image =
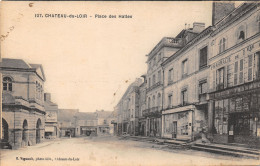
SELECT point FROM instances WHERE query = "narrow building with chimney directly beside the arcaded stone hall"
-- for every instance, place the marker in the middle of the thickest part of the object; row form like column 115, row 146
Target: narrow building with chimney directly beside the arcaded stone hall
column 51, row 121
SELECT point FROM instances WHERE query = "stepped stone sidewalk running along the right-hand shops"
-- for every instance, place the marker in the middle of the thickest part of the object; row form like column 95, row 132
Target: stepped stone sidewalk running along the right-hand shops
column 224, row 149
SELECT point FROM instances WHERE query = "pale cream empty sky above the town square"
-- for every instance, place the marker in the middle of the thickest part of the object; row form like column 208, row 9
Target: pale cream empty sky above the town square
column 90, row 62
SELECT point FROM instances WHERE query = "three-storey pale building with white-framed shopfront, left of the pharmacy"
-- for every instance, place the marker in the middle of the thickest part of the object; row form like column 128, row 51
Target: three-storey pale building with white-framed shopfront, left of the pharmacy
column 185, row 87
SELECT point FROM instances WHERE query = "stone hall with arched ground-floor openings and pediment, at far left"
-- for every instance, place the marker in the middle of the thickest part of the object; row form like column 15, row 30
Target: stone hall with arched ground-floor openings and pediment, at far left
column 23, row 103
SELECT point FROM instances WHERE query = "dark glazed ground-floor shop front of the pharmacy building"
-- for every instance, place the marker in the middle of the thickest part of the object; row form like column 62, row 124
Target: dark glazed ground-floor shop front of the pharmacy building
column 236, row 114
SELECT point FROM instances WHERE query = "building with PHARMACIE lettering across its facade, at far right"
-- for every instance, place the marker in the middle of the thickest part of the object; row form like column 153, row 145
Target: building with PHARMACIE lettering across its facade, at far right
column 234, row 100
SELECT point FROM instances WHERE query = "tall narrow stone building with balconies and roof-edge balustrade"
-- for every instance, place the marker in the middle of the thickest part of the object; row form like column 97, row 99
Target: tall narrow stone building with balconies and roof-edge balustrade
column 154, row 90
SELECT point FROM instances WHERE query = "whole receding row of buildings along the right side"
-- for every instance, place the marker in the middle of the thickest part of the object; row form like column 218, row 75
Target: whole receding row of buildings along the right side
column 204, row 79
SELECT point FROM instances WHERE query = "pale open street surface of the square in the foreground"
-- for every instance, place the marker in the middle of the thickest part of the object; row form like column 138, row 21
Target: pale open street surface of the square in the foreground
column 112, row 151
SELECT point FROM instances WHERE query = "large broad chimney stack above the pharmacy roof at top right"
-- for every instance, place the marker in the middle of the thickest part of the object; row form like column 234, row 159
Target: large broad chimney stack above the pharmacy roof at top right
column 220, row 10
